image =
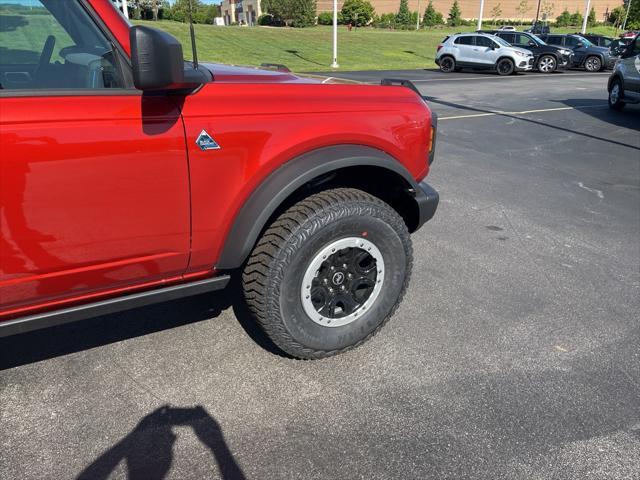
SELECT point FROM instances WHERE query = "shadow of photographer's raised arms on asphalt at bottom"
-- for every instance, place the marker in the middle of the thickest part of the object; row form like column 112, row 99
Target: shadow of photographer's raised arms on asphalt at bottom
column 148, row 449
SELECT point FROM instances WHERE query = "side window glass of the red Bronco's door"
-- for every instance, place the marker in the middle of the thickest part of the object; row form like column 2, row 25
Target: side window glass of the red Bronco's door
column 52, row 47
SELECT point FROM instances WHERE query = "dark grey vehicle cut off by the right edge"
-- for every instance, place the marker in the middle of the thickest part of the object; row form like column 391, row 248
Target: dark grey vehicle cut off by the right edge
column 624, row 82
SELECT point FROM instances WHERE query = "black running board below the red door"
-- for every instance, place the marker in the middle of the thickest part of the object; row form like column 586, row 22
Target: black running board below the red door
column 112, row 305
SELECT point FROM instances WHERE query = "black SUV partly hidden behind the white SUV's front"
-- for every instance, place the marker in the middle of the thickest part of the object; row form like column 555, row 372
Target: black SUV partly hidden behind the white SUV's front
column 546, row 58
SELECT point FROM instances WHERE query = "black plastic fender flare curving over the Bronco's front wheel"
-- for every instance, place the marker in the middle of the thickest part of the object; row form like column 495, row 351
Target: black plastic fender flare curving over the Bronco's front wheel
column 284, row 181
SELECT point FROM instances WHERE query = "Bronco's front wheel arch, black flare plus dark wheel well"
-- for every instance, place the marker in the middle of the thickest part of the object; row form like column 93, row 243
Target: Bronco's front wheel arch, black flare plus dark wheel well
column 343, row 165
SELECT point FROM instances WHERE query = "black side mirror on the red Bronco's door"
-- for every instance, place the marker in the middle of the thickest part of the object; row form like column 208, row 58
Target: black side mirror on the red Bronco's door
column 157, row 61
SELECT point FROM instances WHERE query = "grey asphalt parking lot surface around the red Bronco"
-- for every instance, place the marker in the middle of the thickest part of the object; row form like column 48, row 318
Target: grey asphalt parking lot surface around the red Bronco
column 515, row 355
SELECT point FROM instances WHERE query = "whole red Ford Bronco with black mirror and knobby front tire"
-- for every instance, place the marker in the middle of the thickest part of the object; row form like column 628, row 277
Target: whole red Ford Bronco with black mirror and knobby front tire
column 129, row 176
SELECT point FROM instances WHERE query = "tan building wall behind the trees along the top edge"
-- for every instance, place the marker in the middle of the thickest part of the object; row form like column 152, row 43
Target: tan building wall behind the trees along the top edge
column 470, row 8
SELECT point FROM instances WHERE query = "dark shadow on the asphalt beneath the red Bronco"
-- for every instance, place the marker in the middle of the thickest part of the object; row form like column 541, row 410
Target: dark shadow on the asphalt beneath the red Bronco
column 52, row 342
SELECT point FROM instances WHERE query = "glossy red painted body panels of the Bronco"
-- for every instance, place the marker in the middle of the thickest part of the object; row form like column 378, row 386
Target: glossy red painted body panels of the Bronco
column 101, row 195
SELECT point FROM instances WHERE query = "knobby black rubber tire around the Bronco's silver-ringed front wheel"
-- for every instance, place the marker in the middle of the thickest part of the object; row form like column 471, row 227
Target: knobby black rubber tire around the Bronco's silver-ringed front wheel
column 273, row 276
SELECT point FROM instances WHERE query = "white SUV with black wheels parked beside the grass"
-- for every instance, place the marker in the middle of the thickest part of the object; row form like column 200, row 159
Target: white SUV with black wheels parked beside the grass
column 482, row 51
